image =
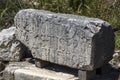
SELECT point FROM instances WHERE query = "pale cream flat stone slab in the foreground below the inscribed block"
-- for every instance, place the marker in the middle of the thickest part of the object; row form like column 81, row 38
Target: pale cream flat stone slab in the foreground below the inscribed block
column 27, row 71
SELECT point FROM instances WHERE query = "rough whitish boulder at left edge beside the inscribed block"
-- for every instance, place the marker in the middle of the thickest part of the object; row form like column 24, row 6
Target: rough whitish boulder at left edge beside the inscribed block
column 10, row 48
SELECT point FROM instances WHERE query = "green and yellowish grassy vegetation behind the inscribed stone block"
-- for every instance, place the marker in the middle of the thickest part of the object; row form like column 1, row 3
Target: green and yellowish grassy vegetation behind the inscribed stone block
column 103, row 9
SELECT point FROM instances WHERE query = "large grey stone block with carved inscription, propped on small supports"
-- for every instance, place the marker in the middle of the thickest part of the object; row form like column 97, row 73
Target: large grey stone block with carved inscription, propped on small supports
column 75, row 41
